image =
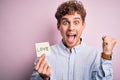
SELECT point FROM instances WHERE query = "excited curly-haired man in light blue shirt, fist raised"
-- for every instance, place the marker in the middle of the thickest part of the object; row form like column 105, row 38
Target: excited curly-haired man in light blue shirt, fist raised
column 72, row 59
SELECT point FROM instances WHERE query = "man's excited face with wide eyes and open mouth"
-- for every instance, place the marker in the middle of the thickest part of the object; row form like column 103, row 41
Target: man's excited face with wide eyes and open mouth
column 71, row 27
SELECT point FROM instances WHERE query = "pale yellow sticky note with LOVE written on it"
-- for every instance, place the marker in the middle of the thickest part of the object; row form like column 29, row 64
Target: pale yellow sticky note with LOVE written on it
column 42, row 48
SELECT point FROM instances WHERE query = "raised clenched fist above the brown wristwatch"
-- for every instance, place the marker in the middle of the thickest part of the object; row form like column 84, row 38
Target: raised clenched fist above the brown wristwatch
column 108, row 44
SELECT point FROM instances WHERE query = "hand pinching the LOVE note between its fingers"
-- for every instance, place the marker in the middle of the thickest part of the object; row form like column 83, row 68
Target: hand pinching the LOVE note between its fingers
column 43, row 68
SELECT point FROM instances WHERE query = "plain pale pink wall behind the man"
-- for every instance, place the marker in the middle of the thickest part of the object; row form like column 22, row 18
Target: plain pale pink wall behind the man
column 25, row 22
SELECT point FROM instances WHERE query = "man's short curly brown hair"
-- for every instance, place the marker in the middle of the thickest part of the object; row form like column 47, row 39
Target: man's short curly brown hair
column 70, row 7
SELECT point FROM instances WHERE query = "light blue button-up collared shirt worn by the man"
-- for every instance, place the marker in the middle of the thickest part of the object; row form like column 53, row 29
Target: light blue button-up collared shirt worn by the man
column 82, row 63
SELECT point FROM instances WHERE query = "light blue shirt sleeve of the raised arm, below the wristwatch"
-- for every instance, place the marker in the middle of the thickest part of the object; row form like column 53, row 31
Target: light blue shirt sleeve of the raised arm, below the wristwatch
column 102, row 69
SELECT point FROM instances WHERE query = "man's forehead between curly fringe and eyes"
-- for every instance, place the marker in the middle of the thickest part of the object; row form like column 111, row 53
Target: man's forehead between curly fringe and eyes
column 71, row 17
